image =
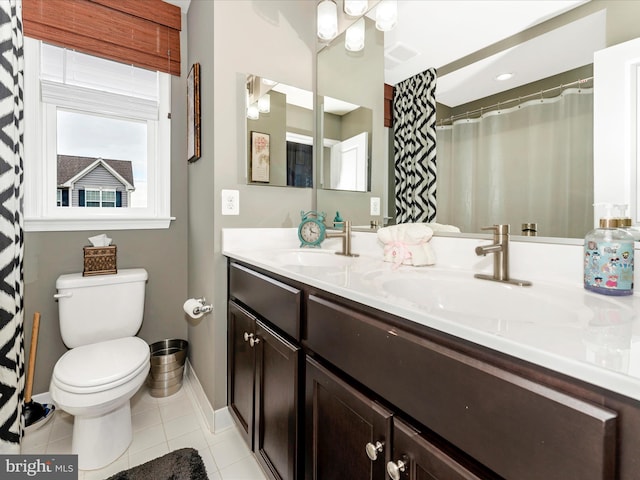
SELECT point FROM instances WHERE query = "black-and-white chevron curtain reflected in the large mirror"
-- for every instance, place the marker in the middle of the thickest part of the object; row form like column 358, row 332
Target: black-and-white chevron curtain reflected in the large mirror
column 414, row 121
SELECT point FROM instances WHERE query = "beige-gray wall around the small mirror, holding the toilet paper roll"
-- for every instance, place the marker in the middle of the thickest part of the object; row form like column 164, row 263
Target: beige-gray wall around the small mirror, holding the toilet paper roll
column 274, row 39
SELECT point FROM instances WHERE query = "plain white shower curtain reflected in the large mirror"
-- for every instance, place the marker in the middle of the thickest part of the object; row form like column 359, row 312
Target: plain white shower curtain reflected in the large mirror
column 526, row 164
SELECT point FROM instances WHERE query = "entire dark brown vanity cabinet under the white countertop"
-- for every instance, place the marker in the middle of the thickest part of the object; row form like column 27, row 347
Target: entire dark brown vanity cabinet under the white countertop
column 384, row 398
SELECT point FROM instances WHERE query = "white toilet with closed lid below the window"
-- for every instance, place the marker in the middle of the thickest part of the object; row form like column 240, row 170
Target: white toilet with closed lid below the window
column 106, row 364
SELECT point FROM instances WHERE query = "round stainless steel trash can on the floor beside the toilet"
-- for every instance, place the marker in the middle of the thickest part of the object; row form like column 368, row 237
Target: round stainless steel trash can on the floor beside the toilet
column 167, row 367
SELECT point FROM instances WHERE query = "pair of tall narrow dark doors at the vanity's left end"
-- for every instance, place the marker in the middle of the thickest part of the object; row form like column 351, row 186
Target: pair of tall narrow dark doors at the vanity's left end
column 263, row 390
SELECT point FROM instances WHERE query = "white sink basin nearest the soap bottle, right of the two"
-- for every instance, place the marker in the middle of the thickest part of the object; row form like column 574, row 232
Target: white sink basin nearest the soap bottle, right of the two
column 460, row 296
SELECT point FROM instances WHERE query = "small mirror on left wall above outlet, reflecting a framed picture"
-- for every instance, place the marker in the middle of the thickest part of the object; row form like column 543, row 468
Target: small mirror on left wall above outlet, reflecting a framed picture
column 279, row 126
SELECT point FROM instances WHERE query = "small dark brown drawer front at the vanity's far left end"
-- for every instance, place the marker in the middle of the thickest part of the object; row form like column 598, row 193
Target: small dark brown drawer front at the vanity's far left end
column 272, row 300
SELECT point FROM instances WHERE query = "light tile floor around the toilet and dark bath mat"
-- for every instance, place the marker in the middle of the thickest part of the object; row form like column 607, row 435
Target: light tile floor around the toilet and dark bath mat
column 160, row 425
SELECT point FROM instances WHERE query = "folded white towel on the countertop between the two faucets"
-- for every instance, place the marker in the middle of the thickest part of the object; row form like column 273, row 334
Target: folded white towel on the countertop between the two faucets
column 407, row 244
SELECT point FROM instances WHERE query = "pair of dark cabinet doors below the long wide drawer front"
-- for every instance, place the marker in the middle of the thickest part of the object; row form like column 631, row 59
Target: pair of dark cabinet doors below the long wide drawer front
column 350, row 435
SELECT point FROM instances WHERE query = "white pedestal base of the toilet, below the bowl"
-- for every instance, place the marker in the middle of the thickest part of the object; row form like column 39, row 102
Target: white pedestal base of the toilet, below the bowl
column 100, row 440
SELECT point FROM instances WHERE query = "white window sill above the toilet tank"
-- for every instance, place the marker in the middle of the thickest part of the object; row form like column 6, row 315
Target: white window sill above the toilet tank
column 78, row 224
